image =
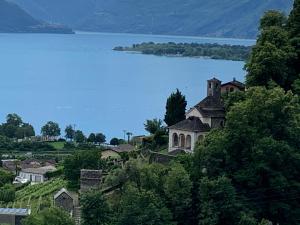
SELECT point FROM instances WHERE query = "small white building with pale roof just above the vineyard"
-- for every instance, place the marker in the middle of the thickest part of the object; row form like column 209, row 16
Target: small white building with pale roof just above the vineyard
column 36, row 175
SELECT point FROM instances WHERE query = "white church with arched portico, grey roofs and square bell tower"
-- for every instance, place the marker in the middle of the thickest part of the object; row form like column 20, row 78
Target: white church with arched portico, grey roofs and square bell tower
column 200, row 119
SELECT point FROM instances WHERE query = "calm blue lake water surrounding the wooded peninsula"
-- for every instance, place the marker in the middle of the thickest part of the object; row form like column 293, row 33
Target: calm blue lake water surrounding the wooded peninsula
column 78, row 79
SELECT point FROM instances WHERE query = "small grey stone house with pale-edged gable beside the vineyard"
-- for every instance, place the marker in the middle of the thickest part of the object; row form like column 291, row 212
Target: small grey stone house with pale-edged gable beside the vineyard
column 63, row 199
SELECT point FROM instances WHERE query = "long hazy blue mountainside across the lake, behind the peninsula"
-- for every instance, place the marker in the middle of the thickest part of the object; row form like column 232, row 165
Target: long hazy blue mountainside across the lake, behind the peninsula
column 220, row 18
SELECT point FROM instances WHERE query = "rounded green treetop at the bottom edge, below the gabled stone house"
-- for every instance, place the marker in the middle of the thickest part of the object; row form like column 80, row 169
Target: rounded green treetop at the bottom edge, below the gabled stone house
column 50, row 216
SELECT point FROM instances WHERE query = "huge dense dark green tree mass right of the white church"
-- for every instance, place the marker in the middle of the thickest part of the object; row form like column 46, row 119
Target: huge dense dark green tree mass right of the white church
column 253, row 150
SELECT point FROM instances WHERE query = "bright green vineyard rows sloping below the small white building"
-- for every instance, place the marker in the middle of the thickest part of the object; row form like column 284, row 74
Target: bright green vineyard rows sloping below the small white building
column 34, row 195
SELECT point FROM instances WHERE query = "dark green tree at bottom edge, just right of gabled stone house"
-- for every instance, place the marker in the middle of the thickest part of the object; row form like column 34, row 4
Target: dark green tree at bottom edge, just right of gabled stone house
column 95, row 209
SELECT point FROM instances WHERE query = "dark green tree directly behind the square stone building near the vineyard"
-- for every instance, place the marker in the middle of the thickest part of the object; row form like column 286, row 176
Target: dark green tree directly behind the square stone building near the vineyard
column 81, row 160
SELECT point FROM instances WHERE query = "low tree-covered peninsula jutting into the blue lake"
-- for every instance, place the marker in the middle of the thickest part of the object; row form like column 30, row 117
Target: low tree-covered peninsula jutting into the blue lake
column 213, row 51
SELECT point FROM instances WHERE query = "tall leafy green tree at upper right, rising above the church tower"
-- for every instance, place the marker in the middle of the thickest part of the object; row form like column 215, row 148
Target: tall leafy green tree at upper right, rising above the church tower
column 271, row 56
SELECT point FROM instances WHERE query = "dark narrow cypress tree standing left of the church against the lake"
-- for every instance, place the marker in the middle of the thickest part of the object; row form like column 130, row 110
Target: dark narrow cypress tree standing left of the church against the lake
column 175, row 108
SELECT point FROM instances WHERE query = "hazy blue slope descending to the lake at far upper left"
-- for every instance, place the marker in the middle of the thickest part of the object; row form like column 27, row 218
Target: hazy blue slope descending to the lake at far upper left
column 14, row 19
